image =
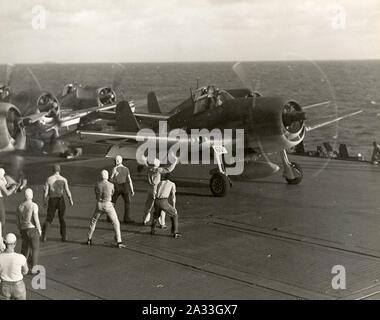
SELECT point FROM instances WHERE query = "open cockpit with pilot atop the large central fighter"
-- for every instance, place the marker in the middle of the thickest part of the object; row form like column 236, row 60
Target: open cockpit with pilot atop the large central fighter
column 209, row 97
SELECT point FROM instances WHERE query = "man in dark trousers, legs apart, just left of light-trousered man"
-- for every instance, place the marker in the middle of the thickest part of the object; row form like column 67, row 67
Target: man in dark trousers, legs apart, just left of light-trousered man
column 55, row 188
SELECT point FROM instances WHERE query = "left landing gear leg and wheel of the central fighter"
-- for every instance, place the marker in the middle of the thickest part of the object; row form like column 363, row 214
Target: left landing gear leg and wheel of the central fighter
column 220, row 183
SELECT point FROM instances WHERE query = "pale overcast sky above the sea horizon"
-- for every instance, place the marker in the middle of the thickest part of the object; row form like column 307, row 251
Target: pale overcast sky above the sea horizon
column 189, row 30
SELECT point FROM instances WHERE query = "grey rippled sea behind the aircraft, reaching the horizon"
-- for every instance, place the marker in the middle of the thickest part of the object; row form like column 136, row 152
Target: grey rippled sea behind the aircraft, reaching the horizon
column 350, row 85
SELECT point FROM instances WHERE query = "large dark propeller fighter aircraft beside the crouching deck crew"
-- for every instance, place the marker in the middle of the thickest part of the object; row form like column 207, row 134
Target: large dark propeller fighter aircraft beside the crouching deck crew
column 270, row 124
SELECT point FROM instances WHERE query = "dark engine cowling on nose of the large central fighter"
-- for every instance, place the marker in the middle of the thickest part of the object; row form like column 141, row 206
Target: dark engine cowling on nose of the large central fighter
column 275, row 123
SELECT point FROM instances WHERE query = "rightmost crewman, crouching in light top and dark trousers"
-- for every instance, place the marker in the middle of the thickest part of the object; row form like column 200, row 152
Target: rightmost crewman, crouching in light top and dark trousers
column 165, row 194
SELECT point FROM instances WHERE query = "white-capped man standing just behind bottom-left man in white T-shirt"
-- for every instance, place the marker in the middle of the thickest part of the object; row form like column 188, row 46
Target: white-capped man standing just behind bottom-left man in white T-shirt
column 30, row 228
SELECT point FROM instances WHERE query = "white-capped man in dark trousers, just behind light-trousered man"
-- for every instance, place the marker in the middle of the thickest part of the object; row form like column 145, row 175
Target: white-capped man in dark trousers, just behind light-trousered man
column 123, row 187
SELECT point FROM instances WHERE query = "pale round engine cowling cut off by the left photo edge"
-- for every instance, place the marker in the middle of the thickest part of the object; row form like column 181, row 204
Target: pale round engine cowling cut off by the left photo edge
column 12, row 135
